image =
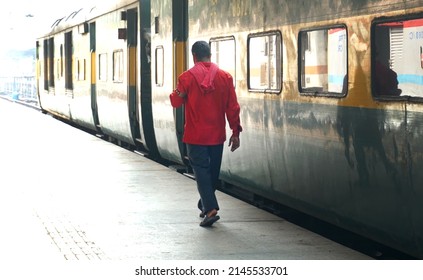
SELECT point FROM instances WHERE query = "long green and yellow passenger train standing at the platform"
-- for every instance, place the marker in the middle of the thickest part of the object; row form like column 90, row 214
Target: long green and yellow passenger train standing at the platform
column 331, row 96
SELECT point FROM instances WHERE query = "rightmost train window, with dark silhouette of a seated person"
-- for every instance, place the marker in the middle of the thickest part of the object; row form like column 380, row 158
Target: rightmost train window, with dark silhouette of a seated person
column 397, row 60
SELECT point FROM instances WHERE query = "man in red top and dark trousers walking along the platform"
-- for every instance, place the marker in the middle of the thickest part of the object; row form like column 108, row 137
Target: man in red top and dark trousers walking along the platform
column 209, row 96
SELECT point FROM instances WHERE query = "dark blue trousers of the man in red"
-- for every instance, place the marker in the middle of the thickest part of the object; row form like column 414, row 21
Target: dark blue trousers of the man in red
column 206, row 161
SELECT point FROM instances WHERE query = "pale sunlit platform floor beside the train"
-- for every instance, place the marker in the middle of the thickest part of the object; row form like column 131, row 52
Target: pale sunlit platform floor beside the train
column 65, row 194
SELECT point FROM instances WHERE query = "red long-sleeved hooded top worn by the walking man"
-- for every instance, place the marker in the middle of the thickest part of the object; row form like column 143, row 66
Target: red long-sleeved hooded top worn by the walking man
column 210, row 96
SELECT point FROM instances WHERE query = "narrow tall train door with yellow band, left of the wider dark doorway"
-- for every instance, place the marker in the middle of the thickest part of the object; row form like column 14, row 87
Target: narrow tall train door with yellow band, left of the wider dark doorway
column 93, row 77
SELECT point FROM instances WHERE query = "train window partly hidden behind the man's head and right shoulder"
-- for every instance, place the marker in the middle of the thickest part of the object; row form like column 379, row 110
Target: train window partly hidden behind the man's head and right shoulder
column 223, row 54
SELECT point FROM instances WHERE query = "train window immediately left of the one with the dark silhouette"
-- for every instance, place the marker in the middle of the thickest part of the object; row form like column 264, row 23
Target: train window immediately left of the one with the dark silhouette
column 323, row 61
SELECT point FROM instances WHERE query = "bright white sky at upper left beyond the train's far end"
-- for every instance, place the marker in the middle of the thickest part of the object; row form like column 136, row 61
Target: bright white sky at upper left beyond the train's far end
column 21, row 22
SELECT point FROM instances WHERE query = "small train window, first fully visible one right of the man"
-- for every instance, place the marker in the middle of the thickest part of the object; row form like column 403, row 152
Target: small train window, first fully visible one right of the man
column 265, row 62
